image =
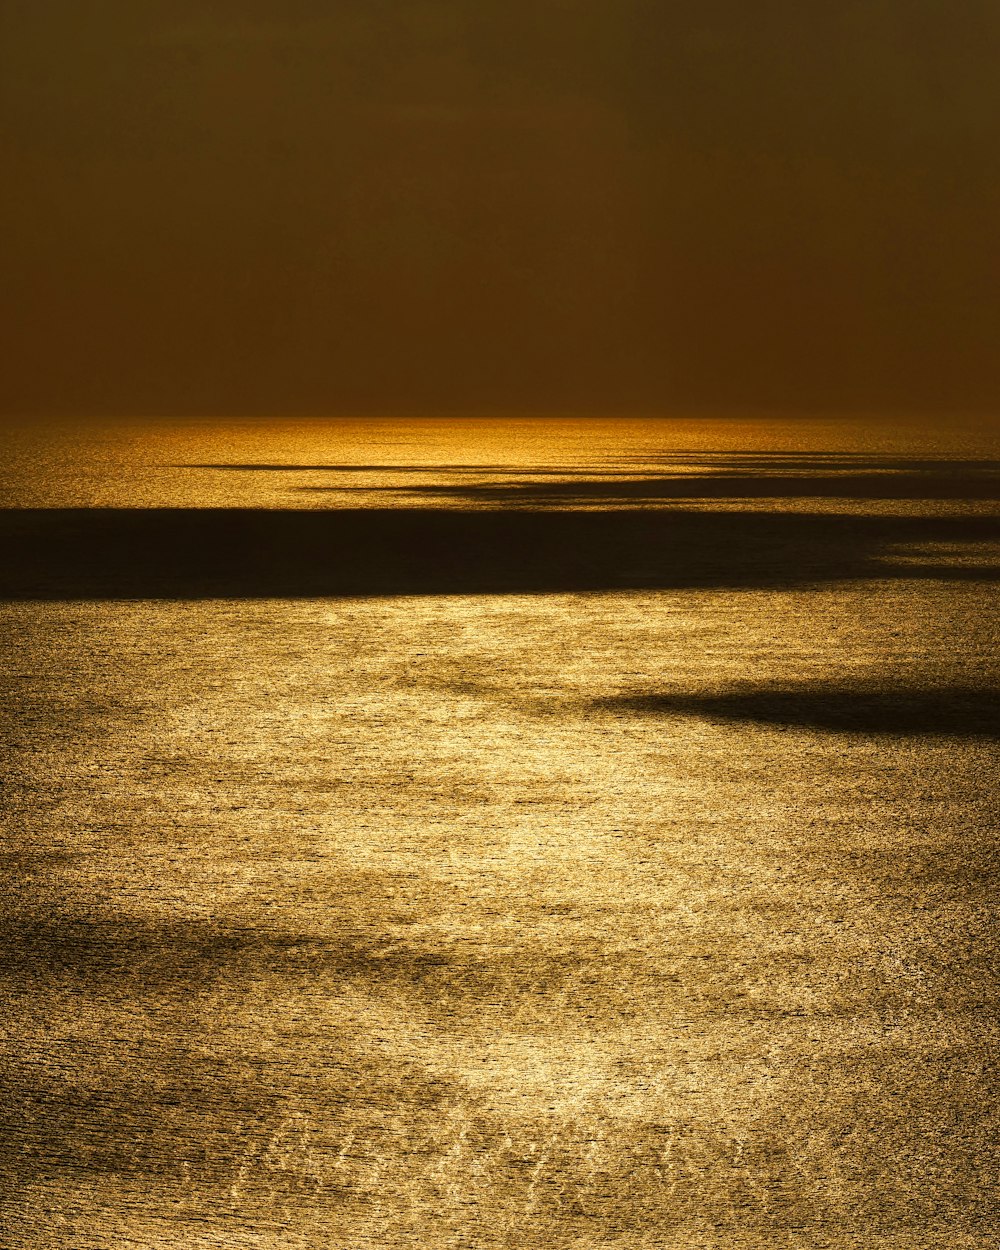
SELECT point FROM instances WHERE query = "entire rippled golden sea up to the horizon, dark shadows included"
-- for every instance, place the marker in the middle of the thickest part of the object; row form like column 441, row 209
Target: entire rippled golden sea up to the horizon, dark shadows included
column 501, row 834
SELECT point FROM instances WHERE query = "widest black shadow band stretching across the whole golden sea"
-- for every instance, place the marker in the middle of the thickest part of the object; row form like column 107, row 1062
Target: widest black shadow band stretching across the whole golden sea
column 53, row 554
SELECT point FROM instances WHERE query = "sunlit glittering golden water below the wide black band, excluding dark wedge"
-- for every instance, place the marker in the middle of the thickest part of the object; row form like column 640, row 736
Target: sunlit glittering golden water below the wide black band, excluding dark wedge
column 388, row 916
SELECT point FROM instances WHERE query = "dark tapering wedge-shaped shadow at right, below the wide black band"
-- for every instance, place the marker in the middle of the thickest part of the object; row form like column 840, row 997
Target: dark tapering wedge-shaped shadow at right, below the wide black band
column 953, row 712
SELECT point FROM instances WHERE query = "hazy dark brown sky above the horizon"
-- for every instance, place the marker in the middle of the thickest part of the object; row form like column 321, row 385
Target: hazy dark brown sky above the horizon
column 501, row 206
